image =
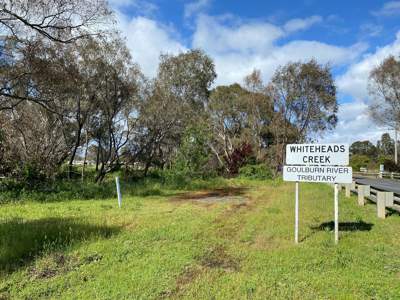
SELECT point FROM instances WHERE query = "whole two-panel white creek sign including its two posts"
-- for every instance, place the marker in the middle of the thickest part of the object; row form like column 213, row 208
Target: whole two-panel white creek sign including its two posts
column 318, row 163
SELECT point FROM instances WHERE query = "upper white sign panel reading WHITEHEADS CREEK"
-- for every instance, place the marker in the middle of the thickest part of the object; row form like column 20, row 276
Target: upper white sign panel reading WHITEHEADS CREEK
column 317, row 154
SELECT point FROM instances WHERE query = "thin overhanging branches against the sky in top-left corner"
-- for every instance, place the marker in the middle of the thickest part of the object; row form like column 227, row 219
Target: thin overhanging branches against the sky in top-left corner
column 56, row 20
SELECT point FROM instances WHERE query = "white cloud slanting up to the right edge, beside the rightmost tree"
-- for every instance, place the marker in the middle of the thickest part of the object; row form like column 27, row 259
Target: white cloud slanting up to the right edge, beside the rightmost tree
column 355, row 81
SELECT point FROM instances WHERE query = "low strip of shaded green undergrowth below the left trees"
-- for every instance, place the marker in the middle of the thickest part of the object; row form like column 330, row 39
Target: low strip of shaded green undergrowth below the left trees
column 158, row 182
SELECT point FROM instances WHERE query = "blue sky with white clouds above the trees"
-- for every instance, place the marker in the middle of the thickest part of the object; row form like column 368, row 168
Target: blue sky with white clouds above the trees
column 352, row 36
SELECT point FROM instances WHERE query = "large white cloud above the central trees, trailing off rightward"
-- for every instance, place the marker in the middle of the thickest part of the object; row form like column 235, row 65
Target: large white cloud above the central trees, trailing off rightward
column 237, row 48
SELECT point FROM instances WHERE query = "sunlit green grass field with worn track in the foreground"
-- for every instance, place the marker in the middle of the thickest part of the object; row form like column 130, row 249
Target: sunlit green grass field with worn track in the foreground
column 178, row 244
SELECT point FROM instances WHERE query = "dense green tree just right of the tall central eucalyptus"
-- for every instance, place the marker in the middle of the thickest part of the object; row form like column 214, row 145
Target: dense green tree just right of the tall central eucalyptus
column 239, row 120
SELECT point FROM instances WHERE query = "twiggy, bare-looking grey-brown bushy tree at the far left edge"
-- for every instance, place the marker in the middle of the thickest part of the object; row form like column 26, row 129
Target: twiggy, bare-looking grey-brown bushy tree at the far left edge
column 38, row 149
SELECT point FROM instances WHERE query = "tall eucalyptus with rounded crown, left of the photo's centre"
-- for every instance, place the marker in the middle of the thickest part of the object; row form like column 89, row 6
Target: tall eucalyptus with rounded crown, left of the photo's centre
column 175, row 99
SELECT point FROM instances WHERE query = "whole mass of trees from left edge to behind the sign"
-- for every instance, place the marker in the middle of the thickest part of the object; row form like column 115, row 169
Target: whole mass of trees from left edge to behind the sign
column 70, row 95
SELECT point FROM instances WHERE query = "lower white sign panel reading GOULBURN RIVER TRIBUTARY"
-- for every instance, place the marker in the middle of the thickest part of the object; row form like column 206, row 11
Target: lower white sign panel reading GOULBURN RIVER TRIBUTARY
column 328, row 174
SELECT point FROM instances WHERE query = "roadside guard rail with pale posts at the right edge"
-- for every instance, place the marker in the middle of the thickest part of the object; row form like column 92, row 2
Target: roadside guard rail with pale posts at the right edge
column 385, row 200
